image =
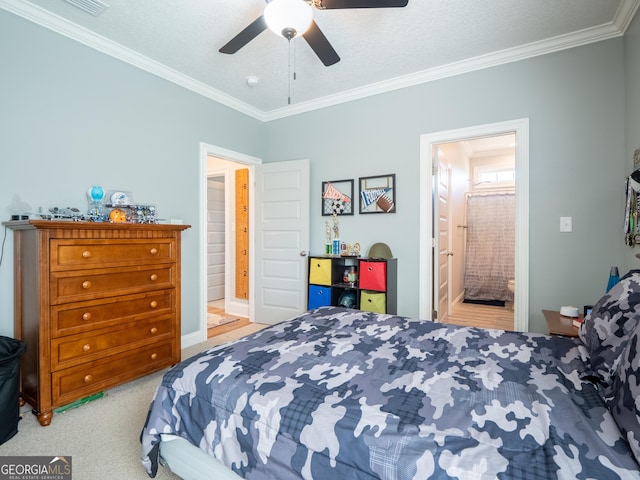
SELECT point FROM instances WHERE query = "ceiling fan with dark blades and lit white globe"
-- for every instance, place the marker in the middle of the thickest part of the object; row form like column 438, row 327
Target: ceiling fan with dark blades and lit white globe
column 279, row 15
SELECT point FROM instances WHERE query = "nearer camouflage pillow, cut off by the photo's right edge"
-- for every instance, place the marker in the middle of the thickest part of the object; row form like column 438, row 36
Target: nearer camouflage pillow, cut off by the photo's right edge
column 625, row 404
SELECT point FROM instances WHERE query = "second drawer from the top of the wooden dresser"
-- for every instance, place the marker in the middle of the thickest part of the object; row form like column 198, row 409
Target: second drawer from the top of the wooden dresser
column 73, row 286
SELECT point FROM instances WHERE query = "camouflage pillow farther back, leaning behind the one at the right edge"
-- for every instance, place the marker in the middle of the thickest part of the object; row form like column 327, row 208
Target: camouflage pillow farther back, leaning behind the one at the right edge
column 607, row 329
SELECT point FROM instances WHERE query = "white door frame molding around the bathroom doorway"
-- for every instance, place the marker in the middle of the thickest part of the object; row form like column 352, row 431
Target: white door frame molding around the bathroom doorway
column 521, row 129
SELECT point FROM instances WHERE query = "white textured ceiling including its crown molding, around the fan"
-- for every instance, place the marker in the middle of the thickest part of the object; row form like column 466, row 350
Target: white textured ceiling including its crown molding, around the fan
column 380, row 49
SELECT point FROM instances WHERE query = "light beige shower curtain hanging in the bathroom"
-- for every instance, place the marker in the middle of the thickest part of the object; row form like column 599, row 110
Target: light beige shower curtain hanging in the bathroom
column 490, row 249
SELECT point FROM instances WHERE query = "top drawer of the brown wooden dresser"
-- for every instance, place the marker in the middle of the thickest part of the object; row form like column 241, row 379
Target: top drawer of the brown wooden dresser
column 69, row 254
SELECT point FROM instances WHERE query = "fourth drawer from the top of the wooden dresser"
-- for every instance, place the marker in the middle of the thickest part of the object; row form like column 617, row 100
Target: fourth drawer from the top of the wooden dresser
column 75, row 349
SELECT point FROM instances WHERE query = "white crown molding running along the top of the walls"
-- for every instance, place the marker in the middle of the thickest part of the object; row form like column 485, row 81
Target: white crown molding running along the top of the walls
column 53, row 22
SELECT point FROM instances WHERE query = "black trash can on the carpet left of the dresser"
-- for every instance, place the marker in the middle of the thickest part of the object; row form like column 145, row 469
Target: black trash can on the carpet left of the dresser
column 10, row 352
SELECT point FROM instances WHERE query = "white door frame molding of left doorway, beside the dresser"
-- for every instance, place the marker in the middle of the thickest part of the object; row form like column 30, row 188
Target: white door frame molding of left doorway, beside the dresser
column 205, row 151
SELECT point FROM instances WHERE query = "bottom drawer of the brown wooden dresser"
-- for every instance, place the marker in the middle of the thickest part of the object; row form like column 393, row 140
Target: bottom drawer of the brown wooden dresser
column 77, row 382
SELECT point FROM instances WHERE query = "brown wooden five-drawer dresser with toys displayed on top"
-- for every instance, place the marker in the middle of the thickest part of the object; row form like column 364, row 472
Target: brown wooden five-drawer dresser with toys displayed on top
column 98, row 304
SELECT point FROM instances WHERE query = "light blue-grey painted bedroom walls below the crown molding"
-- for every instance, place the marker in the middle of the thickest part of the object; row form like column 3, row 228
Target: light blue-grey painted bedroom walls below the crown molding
column 71, row 117
